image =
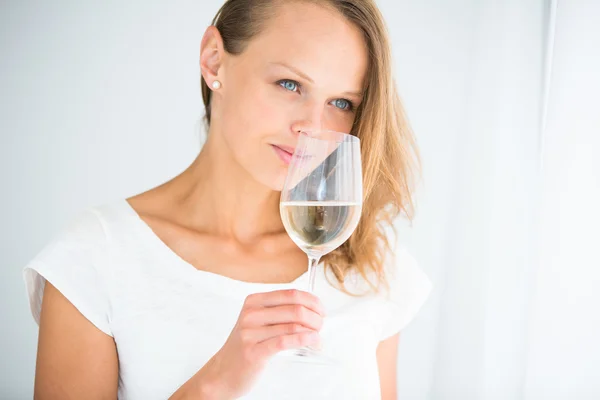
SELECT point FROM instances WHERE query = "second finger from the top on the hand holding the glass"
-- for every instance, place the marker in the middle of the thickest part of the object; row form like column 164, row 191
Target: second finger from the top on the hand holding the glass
column 287, row 314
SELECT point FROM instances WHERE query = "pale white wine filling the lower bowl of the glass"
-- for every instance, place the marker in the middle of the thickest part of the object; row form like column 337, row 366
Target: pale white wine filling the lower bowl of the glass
column 318, row 227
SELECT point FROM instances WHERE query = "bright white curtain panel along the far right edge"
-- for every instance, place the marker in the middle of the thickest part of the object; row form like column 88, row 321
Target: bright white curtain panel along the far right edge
column 563, row 352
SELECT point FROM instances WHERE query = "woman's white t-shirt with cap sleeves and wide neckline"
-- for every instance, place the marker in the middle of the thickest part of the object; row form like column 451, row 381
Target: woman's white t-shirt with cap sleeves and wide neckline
column 169, row 318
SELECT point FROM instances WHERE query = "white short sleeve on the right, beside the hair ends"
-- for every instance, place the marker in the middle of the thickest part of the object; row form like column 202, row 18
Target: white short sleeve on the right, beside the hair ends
column 409, row 288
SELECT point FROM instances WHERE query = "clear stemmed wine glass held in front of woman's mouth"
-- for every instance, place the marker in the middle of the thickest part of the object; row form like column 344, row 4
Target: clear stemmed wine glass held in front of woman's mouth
column 321, row 200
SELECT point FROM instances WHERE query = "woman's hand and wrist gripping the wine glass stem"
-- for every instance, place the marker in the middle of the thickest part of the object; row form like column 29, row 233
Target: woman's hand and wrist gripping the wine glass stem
column 268, row 323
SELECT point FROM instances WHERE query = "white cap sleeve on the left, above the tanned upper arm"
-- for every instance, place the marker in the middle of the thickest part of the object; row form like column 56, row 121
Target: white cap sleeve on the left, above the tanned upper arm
column 71, row 262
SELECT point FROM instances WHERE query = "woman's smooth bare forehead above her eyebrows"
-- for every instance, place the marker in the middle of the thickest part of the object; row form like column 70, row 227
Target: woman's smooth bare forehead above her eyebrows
column 315, row 39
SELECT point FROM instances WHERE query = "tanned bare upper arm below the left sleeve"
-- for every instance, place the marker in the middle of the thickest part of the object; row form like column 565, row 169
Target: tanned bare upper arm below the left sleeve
column 75, row 359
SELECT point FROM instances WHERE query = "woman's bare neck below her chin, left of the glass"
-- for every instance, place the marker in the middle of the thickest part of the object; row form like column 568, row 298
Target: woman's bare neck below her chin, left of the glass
column 219, row 197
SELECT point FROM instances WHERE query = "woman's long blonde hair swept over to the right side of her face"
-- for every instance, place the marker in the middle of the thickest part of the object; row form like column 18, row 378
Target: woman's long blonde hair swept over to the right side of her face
column 389, row 153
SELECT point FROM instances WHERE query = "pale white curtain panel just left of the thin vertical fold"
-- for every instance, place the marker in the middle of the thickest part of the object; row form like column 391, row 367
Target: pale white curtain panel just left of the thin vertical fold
column 481, row 333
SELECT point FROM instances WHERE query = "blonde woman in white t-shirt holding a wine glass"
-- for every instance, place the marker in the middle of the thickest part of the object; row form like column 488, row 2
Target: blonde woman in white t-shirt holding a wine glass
column 190, row 290
